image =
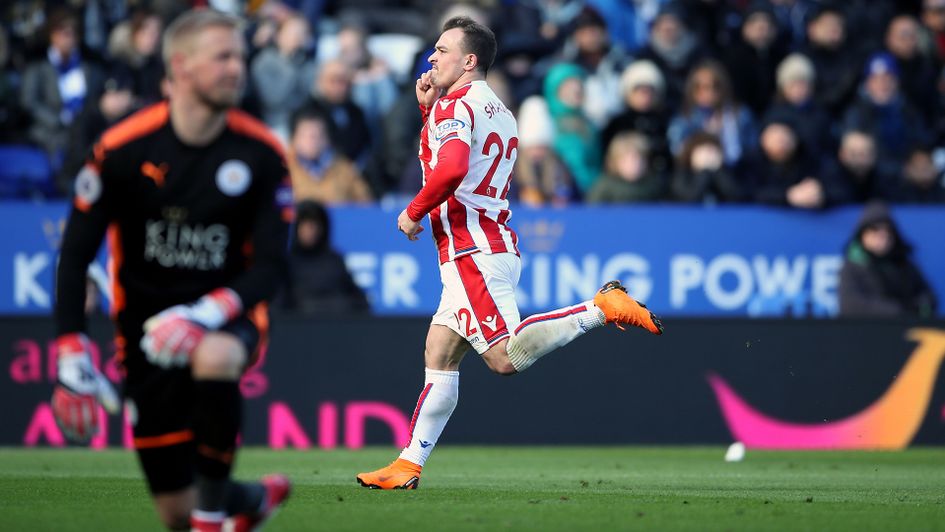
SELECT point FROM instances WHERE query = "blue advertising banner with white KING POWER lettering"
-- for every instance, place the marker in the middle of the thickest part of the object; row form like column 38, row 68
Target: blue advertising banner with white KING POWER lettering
column 683, row 261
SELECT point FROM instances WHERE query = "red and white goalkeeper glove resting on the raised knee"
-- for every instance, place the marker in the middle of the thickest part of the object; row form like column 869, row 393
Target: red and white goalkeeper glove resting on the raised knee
column 171, row 336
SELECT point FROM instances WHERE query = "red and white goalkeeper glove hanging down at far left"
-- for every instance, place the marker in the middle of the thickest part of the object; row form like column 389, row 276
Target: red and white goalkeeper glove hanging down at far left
column 80, row 388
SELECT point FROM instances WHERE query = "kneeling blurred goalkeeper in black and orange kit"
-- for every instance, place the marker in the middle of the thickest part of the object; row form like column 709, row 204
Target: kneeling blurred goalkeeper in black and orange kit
column 191, row 194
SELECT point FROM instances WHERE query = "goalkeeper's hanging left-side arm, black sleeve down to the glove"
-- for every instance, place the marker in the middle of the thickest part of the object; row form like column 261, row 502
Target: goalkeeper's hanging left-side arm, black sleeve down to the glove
column 80, row 387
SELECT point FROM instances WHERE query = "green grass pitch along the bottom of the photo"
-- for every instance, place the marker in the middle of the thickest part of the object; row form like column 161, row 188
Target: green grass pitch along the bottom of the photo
column 514, row 488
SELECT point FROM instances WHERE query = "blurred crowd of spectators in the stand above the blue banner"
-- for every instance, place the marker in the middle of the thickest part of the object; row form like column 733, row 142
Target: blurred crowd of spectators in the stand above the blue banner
column 799, row 103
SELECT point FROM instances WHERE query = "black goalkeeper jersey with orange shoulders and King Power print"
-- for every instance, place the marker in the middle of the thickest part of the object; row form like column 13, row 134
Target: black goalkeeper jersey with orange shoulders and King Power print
column 181, row 220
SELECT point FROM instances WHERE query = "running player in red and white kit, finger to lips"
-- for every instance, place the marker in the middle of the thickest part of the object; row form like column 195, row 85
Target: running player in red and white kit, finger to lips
column 468, row 146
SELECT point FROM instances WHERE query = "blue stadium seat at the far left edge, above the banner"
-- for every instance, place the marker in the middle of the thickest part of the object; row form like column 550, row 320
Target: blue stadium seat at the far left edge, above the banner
column 25, row 172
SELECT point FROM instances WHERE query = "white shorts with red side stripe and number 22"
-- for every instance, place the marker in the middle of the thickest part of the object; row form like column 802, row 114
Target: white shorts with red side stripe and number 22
column 478, row 299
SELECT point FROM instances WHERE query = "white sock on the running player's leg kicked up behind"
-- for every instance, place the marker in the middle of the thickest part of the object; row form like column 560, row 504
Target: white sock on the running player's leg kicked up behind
column 541, row 334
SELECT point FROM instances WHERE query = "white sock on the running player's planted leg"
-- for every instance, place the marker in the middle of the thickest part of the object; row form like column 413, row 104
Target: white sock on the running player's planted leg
column 437, row 401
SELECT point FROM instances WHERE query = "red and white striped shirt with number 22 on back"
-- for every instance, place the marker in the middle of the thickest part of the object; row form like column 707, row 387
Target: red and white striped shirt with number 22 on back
column 468, row 147
